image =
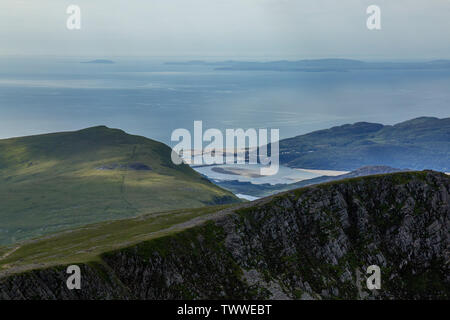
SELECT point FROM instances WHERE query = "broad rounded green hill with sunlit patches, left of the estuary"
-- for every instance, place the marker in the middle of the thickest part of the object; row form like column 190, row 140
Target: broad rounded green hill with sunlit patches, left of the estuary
column 63, row 180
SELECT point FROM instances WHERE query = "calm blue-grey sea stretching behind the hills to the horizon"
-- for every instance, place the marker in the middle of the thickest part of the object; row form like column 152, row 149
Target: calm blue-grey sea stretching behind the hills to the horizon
column 150, row 98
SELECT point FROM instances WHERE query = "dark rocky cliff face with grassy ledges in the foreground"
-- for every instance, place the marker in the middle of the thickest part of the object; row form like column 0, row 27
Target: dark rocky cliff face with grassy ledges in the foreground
column 311, row 243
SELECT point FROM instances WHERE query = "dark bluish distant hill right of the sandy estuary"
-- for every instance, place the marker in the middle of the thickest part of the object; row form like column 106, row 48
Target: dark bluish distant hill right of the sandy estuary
column 418, row 144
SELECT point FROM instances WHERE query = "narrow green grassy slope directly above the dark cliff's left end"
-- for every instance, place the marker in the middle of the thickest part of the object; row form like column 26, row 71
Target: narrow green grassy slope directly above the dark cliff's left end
column 87, row 243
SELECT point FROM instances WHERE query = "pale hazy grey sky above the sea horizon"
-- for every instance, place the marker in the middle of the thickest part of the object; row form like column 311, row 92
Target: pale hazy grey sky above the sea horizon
column 411, row 29
